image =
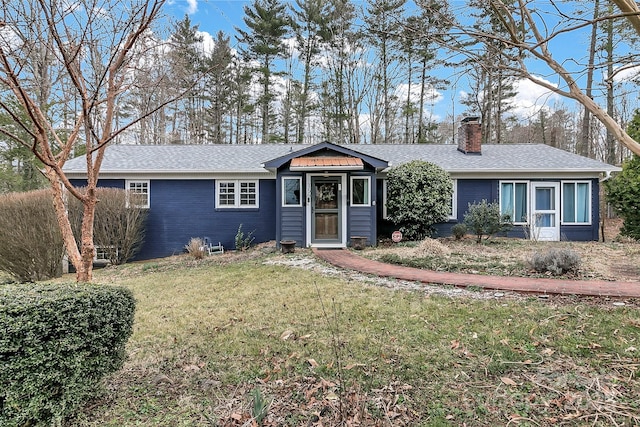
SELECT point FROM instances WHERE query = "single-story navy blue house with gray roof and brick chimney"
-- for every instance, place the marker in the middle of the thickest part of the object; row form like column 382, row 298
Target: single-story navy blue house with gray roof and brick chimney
column 322, row 195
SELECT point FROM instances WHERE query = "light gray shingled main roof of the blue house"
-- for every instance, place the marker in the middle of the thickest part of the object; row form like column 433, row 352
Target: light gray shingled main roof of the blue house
column 206, row 159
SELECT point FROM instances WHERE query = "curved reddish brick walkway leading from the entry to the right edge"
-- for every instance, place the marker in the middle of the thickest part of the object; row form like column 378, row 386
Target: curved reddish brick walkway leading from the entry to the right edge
column 349, row 260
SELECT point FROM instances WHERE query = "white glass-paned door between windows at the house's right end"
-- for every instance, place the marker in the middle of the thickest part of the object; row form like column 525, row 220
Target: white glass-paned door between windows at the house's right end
column 545, row 212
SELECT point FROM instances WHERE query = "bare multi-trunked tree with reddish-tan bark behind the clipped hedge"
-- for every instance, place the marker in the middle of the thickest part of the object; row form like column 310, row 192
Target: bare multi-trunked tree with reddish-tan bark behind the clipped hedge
column 53, row 50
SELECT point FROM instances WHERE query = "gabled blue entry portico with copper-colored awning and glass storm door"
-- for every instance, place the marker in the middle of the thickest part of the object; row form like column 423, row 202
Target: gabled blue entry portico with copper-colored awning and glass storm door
column 328, row 193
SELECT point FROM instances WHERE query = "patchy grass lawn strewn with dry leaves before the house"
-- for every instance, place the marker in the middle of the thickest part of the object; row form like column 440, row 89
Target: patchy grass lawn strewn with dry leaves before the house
column 223, row 340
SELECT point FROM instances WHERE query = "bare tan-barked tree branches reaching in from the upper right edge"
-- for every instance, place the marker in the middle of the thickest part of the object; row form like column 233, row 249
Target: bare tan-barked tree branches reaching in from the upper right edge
column 527, row 33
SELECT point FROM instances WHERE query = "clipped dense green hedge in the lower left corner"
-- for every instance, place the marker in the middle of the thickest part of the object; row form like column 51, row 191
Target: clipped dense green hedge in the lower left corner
column 57, row 342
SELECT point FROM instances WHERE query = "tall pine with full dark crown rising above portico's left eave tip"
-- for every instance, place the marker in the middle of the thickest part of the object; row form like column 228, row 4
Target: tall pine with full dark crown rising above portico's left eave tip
column 267, row 24
